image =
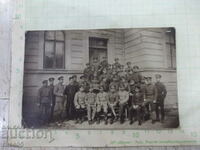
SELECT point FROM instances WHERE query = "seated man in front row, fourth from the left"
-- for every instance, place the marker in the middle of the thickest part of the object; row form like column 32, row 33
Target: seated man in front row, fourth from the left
column 113, row 99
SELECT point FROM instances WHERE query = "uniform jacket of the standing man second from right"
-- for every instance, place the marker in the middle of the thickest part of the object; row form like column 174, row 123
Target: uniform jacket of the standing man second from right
column 150, row 92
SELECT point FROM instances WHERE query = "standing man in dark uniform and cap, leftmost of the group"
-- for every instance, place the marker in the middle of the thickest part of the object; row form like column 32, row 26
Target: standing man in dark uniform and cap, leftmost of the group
column 44, row 98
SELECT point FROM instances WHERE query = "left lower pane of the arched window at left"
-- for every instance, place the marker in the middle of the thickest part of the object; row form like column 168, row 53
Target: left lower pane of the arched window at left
column 49, row 55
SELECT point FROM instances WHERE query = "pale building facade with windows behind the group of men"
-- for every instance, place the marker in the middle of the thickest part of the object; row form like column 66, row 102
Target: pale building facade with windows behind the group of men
column 55, row 53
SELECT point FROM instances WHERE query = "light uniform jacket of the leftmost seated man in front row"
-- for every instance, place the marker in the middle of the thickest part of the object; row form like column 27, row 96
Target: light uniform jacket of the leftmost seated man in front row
column 79, row 99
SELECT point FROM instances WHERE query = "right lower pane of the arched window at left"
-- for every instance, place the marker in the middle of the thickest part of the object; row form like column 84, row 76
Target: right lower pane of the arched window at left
column 60, row 55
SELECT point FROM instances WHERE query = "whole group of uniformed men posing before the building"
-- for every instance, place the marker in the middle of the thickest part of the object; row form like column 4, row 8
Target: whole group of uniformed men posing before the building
column 104, row 91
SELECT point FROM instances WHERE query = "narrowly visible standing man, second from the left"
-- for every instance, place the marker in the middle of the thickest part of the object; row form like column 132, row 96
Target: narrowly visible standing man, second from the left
column 51, row 86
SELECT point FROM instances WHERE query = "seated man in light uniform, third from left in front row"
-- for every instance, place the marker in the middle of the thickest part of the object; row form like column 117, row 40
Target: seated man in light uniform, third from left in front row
column 102, row 104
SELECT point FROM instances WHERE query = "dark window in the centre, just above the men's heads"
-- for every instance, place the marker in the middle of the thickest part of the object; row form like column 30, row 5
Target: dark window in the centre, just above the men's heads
column 97, row 49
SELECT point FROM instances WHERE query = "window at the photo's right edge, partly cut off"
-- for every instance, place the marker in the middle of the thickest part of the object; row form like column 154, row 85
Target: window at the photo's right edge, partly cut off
column 171, row 48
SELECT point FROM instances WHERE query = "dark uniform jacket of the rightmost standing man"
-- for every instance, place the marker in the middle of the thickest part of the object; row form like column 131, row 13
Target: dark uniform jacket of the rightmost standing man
column 161, row 90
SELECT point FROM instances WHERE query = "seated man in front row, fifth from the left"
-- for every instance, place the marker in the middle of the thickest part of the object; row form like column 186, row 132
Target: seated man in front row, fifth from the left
column 123, row 101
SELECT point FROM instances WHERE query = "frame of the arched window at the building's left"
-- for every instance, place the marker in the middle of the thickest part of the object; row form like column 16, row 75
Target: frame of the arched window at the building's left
column 54, row 46
